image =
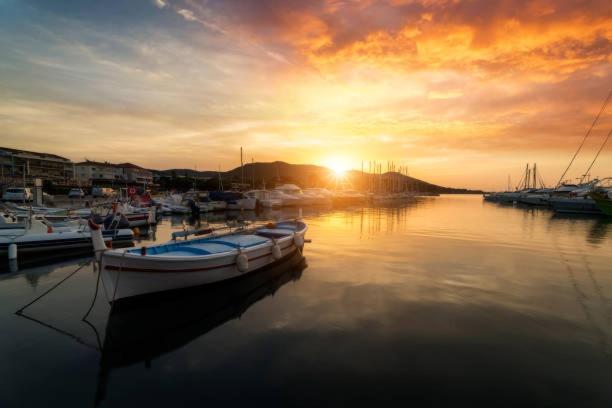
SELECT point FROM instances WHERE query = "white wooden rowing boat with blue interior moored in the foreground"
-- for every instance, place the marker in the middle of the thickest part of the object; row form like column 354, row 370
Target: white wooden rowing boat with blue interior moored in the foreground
column 184, row 264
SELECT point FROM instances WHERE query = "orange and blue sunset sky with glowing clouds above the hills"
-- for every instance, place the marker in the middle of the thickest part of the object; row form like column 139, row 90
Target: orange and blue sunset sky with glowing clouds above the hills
column 462, row 93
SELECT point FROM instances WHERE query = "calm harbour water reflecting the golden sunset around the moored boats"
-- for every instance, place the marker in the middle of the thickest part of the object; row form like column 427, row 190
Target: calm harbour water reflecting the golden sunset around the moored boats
column 448, row 301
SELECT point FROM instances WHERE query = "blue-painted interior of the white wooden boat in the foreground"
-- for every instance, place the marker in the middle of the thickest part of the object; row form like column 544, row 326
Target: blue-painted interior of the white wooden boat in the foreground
column 220, row 244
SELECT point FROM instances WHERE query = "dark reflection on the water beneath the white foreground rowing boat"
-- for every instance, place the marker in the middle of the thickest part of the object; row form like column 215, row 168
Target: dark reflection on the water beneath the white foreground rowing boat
column 147, row 330
